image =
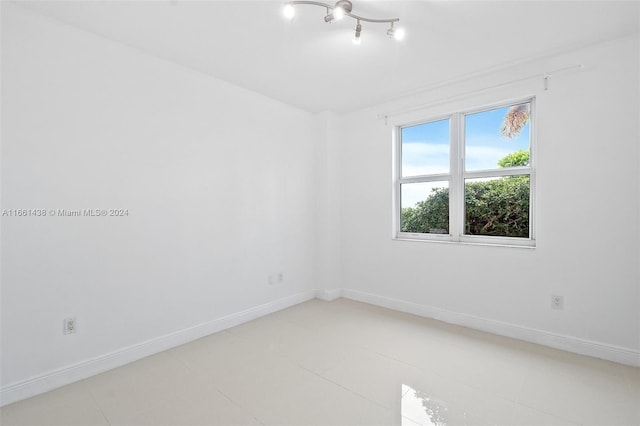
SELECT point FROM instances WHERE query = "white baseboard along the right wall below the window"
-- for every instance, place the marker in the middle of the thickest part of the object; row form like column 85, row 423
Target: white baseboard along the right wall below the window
column 608, row 352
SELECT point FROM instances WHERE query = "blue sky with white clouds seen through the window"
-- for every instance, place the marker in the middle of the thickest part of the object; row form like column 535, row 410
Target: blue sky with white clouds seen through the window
column 425, row 149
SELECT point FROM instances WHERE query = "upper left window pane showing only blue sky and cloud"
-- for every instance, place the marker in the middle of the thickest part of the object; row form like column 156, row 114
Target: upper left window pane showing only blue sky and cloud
column 425, row 148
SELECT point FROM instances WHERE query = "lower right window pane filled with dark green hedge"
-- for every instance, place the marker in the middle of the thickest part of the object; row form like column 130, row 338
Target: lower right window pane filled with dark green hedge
column 497, row 206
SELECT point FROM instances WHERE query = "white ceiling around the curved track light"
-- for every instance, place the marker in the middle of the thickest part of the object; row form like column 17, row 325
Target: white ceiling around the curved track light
column 313, row 65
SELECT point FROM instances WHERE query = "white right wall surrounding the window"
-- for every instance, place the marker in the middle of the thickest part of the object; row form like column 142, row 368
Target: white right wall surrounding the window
column 587, row 212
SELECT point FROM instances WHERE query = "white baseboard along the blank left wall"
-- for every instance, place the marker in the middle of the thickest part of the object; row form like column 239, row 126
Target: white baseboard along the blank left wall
column 88, row 368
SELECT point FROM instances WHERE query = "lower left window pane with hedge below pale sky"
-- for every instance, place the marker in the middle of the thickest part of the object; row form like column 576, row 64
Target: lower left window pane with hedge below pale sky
column 425, row 207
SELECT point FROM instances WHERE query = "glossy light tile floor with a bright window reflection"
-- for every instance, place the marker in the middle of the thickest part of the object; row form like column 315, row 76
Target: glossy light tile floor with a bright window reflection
column 347, row 363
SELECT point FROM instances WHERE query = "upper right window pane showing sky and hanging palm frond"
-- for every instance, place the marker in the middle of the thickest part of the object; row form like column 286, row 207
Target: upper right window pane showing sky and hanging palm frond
column 497, row 138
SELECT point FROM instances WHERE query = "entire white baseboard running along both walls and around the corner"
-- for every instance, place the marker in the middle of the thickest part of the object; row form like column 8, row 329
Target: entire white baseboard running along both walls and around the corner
column 88, row 368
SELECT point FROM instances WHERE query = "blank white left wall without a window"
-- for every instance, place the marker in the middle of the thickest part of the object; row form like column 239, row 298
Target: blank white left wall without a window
column 218, row 182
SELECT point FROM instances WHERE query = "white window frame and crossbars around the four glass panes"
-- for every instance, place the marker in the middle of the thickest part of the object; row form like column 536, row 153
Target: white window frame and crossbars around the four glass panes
column 457, row 176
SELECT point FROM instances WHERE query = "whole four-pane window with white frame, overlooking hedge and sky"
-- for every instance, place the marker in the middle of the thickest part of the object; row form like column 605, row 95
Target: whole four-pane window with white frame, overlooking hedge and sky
column 468, row 177
